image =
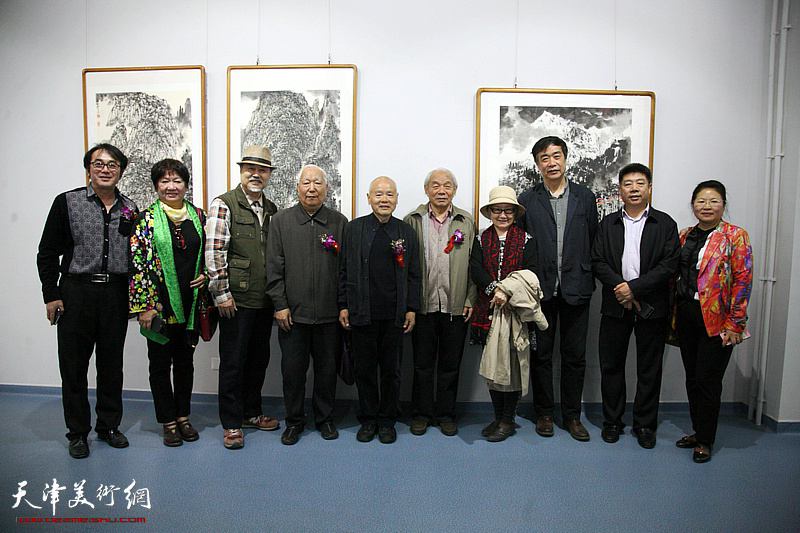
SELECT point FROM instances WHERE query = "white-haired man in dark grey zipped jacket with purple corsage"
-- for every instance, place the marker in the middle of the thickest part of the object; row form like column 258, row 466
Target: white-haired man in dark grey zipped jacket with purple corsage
column 302, row 281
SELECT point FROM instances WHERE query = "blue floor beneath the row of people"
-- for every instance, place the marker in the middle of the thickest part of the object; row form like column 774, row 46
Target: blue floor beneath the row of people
column 428, row 483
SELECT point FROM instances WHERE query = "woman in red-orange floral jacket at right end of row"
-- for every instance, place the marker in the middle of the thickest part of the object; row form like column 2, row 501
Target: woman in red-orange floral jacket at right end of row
column 712, row 292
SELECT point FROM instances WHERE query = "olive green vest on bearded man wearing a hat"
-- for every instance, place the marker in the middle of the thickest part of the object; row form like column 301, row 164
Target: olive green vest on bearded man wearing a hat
column 247, row 270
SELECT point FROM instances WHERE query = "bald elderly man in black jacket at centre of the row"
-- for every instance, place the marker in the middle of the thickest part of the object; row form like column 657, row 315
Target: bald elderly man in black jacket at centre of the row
column 379, row 284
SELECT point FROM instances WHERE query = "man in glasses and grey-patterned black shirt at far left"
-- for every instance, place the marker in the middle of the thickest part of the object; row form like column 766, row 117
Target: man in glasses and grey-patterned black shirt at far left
column 84, row 262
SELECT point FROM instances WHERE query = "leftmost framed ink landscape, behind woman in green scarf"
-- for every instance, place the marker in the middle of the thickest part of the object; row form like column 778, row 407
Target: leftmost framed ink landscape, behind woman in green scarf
column 150, row 113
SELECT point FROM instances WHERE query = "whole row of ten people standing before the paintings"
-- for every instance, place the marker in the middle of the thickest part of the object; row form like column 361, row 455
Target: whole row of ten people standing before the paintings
column 377, row 278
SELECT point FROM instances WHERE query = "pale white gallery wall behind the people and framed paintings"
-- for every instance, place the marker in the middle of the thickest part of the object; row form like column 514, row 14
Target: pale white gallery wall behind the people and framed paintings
column 420, row 63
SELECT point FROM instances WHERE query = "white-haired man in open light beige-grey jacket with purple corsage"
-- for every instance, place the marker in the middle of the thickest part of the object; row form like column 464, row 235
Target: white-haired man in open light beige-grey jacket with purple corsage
column 445, row 234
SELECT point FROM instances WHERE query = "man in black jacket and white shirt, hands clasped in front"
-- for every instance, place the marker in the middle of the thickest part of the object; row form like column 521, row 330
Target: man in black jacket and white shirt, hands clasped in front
column 635, row 254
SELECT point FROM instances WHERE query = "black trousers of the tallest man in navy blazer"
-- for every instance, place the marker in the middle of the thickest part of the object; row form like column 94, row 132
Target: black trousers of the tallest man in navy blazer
column 574, row 327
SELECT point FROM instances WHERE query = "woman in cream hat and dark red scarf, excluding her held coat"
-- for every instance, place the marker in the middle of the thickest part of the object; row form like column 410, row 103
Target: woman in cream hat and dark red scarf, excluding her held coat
column 499, row 250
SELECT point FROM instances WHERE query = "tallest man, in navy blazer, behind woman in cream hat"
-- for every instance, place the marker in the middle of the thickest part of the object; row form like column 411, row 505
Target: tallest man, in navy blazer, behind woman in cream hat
column 562, row 215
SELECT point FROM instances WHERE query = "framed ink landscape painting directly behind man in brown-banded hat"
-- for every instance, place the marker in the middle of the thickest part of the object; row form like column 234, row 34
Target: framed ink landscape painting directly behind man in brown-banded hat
column 305, row 114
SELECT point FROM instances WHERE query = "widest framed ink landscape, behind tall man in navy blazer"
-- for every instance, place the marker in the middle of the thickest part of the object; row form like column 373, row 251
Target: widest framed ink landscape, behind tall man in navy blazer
column 604, row 131
